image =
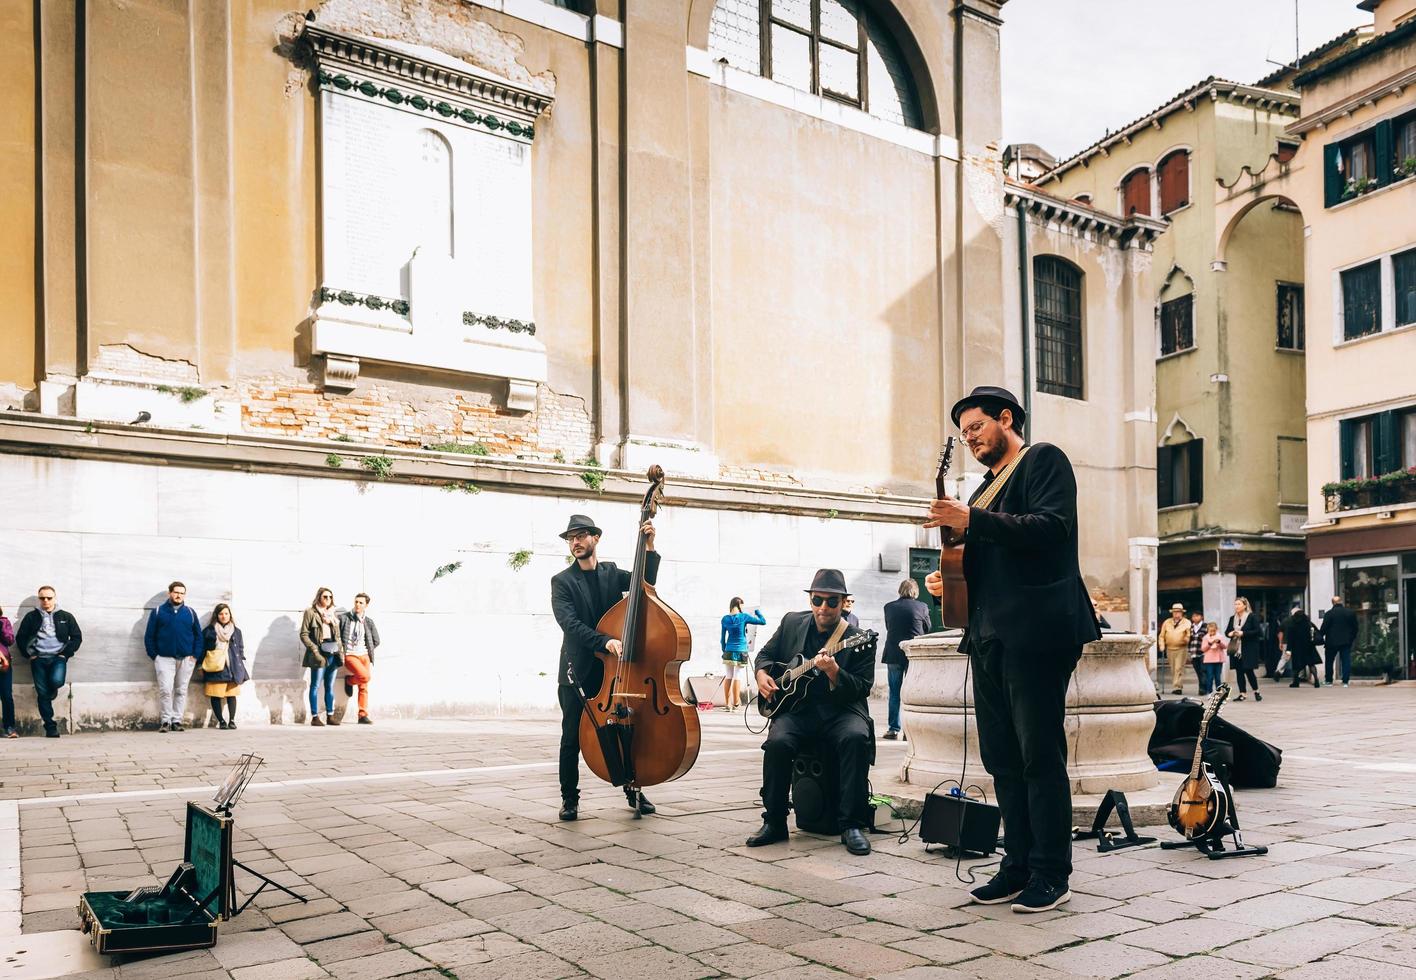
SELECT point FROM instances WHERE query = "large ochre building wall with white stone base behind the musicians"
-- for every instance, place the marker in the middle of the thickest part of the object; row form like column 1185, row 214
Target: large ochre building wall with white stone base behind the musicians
column 373, row 298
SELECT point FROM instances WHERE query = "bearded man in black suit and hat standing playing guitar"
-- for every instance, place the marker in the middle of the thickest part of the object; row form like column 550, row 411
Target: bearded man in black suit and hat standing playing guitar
column 1029, row 618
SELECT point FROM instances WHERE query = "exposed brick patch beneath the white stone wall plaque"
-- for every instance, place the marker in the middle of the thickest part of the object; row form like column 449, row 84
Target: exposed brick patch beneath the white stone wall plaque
column 379, row 417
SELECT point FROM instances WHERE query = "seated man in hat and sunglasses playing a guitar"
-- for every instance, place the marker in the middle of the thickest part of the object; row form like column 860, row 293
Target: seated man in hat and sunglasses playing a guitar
column 833, row 719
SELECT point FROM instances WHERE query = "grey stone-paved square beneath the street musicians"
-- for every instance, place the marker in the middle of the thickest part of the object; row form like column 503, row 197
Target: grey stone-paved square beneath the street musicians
column 433, row 850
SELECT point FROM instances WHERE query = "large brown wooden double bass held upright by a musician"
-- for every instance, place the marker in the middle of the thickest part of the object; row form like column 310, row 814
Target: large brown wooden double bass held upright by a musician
column 638, row 730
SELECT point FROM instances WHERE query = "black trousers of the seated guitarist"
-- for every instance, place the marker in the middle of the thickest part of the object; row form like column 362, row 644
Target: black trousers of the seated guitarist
column 833, row 733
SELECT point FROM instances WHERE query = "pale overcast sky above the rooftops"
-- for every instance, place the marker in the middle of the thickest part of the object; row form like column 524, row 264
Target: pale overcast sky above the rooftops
column 1075, row 69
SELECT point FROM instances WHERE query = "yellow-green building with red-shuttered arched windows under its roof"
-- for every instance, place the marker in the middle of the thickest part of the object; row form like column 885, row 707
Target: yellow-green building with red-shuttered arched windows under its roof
column 1228, row 342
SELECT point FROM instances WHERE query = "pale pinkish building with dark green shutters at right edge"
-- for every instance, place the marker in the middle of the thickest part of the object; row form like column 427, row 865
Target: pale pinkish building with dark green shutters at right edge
column 1357, row 189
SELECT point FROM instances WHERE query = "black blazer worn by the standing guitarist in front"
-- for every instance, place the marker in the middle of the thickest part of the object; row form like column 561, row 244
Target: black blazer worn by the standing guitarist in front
column 1022, row 559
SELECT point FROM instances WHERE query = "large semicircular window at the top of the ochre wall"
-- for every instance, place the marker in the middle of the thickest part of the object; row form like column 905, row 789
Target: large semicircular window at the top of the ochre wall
column 835, row 49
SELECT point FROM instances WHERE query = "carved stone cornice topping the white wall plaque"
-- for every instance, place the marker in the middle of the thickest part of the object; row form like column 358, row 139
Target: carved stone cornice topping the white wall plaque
column 387, row 72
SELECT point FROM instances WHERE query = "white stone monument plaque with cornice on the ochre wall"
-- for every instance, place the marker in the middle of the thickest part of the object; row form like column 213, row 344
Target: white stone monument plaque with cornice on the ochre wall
column 426, row 210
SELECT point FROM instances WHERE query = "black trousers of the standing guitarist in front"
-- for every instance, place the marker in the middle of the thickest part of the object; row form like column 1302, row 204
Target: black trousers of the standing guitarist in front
column 1020, row 703
